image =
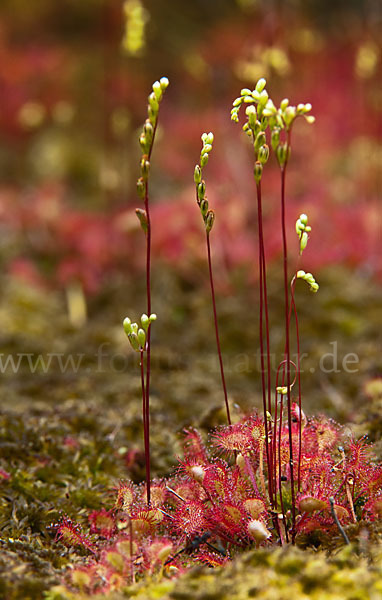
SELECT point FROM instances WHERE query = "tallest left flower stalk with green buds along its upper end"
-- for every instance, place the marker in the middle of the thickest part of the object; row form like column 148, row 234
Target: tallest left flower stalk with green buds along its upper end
column 146, row 141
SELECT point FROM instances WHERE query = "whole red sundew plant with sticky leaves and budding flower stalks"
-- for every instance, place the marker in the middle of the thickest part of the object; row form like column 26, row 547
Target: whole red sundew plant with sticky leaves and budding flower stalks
column 274, row 478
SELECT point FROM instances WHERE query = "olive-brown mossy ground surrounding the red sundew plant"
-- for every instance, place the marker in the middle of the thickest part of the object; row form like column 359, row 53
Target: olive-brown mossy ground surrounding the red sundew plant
column 66, row 438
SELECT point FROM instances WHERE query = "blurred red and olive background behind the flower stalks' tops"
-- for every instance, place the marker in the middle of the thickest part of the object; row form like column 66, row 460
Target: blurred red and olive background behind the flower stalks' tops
column 74, row 79
